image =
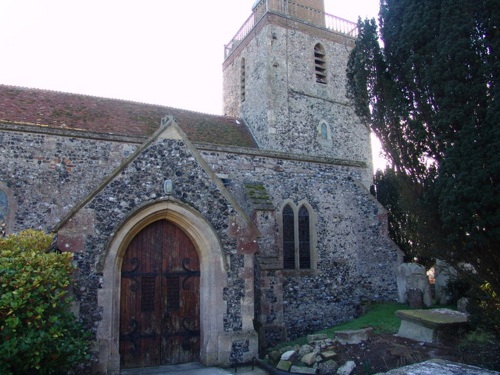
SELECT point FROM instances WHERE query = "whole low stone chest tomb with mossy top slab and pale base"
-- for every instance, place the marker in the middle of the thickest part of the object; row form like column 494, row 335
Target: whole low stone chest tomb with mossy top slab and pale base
column 430, row 325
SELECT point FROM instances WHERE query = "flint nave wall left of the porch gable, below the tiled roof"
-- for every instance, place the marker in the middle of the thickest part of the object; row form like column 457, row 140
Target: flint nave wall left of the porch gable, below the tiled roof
column 48, row 174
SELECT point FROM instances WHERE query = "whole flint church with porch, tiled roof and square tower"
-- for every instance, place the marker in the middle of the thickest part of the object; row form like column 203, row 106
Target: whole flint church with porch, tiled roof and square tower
column 200, row 237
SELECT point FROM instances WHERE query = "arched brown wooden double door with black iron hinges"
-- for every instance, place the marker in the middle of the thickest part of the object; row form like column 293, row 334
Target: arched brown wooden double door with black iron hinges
column 160, row 298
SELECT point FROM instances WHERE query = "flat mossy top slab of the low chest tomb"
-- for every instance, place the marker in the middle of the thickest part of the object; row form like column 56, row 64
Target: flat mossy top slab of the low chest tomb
column 433, row 318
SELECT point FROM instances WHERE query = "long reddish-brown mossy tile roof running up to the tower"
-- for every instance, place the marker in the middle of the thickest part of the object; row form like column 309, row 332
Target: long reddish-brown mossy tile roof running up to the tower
column 113, row 116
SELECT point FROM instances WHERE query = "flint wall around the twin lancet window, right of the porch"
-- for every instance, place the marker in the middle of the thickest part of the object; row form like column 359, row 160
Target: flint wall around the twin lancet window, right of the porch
column 355, row 259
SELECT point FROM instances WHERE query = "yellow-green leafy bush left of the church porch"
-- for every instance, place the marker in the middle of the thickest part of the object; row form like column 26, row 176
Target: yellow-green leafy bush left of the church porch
column 38, row 332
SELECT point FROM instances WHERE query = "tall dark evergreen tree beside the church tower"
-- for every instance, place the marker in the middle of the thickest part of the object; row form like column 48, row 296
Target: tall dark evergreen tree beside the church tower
column 429, row 90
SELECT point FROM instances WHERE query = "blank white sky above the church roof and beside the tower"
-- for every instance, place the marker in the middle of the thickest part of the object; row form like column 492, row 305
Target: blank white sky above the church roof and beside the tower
column 153, row 51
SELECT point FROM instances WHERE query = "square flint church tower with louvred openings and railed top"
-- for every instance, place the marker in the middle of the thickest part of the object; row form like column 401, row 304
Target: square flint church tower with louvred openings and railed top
column 285, row 75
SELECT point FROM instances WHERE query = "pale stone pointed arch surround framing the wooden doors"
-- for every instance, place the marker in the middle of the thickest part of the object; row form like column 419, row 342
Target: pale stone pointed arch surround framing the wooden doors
column 213, row 278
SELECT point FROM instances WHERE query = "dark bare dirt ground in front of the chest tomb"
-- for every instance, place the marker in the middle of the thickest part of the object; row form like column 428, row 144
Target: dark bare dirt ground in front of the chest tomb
column 383, row 352
